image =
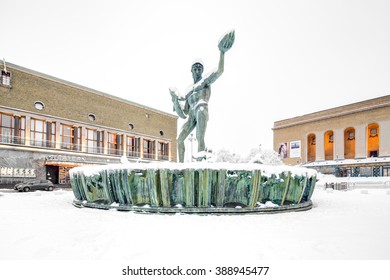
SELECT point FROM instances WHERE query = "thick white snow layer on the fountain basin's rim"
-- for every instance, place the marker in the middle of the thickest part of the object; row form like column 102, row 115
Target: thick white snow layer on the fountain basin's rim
column 266, row 170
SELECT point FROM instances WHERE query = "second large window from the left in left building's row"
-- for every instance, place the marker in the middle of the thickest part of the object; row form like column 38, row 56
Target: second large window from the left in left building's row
column 42, row 133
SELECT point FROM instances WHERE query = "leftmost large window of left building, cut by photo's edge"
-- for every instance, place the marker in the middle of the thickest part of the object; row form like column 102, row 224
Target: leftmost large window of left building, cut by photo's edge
column 12, row 129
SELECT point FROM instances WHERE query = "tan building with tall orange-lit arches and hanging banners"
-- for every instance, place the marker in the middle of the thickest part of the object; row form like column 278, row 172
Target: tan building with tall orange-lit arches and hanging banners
column 351, row 140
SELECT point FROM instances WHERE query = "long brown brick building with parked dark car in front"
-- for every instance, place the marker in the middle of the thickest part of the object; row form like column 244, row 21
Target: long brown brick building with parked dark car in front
column 48, row 125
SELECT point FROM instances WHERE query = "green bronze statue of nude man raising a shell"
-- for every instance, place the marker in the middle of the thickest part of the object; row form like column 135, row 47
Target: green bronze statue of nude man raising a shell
column 197, row 98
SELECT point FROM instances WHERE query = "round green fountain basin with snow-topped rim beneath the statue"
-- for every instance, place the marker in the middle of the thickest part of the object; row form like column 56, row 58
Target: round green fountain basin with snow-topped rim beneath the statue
column 203, row 188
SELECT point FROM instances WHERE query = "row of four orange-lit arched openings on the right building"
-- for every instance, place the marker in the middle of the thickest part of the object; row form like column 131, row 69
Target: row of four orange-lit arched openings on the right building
column 372, row 139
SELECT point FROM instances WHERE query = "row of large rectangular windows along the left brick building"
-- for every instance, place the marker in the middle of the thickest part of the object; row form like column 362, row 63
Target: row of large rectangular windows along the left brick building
column 43, row 134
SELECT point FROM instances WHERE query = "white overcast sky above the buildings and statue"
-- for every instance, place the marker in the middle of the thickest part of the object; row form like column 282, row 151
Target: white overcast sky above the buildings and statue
column 289, row 58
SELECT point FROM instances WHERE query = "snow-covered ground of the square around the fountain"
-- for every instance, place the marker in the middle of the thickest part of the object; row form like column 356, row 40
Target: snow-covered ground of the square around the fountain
column 343, row 225
